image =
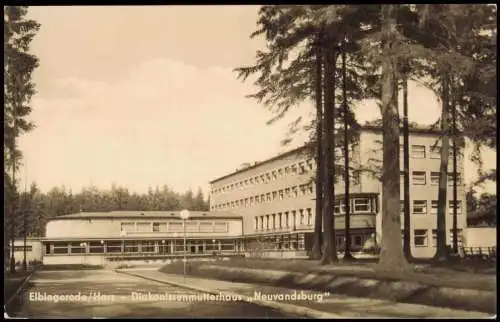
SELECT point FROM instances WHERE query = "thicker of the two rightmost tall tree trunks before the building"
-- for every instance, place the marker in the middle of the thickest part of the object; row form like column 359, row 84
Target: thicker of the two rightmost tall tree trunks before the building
column 441, row 253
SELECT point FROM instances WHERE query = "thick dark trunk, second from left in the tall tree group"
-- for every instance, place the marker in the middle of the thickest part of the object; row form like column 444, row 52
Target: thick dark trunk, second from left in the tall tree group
column 330, row 252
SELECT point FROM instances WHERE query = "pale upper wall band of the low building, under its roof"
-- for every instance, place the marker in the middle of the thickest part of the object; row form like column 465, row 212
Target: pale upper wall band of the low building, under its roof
column 111, row 228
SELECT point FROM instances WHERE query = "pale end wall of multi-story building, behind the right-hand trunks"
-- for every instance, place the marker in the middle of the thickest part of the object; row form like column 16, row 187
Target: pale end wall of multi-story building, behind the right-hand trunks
column 370, row 146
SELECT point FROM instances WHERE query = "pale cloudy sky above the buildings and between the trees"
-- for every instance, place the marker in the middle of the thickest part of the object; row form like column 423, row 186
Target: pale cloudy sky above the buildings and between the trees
column 146, row 95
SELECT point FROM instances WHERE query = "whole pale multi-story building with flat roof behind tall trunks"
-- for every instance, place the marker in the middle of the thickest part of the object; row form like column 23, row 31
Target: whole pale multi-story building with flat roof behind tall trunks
column 276, row 197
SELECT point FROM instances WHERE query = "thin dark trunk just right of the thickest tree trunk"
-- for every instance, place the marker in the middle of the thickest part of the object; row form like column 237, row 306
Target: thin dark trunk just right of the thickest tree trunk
column 406, row 161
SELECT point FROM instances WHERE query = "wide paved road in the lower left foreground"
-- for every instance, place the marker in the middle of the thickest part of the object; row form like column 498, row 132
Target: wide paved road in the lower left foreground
column 101, row 293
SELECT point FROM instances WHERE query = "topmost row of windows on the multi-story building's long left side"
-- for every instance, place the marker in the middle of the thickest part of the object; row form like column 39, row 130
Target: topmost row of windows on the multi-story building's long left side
column 300, row 167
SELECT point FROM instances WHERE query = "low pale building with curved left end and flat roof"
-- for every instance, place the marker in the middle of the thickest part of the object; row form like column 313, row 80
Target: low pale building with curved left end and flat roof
column 97, row 238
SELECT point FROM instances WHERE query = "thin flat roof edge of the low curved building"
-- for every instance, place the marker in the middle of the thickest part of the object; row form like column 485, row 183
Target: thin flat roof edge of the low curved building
column 149, row 215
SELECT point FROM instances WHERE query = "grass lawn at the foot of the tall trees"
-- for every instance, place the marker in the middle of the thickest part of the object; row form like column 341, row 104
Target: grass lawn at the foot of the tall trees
column 440, row 276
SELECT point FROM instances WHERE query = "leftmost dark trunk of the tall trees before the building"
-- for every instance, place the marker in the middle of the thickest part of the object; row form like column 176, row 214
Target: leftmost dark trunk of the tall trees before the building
column 318, row 220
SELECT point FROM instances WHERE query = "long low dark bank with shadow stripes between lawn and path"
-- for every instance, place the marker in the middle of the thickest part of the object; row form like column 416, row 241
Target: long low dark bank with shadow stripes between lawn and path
column 393, row 290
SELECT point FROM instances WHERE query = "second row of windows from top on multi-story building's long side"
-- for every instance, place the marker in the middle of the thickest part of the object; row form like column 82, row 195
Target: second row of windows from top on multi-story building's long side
column 292, row 192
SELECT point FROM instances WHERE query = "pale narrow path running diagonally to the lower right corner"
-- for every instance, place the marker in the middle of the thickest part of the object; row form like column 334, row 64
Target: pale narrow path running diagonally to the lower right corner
column 328, row 304
